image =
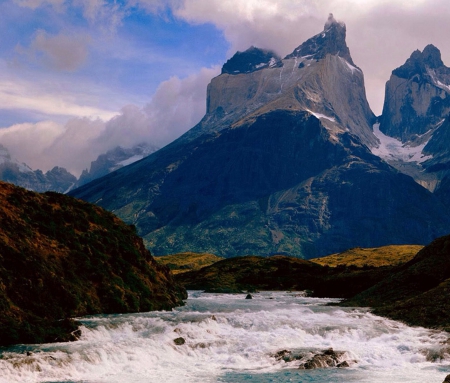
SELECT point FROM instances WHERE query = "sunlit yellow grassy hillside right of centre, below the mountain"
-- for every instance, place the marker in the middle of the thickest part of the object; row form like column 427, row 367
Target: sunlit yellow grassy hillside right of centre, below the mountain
column 392, row 255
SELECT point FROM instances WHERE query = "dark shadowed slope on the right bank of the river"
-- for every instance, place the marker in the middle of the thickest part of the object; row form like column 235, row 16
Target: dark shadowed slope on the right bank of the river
column 418, row 292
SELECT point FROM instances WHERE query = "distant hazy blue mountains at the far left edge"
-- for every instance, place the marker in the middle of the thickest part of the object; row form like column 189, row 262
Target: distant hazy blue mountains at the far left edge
column 58, row 179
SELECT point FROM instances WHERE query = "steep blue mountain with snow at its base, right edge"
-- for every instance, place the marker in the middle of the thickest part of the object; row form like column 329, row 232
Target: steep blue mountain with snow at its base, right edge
column 415, row 119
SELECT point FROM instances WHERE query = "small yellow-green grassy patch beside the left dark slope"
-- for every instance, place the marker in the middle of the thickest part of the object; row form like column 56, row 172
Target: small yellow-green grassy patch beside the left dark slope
column 183, row 262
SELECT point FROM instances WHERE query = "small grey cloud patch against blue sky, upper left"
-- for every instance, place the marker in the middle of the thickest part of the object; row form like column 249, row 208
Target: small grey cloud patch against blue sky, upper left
column 62, row 52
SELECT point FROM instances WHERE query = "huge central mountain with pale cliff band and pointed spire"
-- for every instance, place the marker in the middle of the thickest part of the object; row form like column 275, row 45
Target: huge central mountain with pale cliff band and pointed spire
column 279, row 164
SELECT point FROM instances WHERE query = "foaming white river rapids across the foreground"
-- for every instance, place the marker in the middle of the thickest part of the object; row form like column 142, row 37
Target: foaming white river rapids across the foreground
column 230, row 339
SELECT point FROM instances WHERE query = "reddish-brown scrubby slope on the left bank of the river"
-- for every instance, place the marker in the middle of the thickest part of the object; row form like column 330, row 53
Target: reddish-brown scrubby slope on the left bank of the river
column 62, row 258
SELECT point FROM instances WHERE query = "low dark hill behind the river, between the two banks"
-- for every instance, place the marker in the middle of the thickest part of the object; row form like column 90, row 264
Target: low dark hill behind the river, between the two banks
column 279, row 272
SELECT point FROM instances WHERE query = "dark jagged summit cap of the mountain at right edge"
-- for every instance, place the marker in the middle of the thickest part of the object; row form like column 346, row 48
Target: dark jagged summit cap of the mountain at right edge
column 419, row 61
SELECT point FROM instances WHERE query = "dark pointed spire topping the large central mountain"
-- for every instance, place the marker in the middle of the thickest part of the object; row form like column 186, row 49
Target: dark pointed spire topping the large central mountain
column 330, row 41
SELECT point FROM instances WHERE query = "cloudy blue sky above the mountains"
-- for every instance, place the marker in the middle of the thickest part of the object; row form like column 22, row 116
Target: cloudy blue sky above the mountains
column 79, row 77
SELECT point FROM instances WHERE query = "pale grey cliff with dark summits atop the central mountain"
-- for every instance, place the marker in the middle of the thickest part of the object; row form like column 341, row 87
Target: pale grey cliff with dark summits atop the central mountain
column 319, row 77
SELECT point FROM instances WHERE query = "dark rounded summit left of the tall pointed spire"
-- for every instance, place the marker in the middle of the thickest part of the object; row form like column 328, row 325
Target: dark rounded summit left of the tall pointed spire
column 251, row 60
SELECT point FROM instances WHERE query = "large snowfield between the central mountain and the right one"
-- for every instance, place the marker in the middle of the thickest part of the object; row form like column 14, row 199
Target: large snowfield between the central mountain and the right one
column 392, row 149
